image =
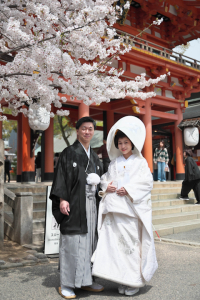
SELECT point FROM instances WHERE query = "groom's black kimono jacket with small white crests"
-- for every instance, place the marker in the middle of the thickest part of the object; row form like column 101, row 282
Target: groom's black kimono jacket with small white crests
column 69, row 184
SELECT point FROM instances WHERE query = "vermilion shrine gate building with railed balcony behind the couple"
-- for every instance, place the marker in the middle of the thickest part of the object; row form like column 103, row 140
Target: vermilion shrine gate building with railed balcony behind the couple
column 151, row 54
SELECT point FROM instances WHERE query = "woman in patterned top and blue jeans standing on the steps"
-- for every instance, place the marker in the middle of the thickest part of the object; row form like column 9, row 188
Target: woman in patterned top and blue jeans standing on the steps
column 161, row 158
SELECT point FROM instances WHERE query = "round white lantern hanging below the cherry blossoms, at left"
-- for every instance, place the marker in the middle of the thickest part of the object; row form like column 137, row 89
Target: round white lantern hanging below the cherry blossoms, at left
column 40, row 119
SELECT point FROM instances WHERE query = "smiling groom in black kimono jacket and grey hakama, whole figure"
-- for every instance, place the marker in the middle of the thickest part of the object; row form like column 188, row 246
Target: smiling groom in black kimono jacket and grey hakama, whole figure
column 74, row 206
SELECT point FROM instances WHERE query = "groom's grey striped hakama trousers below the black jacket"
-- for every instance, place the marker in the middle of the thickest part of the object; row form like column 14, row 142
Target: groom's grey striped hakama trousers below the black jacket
column 76, row 250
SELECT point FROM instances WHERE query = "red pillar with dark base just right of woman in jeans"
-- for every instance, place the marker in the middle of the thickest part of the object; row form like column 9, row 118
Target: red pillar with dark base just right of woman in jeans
column 180, row 172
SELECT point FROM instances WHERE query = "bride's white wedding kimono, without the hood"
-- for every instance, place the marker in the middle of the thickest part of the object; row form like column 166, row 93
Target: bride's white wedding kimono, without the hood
column 125, row 251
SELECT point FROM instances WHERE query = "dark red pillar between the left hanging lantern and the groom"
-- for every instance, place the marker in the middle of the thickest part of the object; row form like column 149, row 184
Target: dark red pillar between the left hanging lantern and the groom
column 49, row 153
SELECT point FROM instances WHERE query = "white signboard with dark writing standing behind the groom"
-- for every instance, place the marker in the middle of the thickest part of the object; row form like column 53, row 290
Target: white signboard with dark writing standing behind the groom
column 52, row 229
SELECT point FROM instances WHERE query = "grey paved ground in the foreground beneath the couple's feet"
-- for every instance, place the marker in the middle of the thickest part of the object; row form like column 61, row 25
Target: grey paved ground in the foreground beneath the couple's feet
column 177, row 278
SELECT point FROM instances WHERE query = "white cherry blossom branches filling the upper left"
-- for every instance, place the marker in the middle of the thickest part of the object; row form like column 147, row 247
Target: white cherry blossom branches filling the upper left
column 62, row 46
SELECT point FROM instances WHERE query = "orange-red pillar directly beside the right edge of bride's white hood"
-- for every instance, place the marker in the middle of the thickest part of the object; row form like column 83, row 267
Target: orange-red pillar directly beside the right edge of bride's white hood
column 147, row 149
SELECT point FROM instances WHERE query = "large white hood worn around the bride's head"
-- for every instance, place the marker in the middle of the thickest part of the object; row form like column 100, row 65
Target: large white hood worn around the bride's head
column 133, row 128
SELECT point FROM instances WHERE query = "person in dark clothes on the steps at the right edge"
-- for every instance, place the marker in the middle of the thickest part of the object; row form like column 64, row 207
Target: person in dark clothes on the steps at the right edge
column 192, row 177
